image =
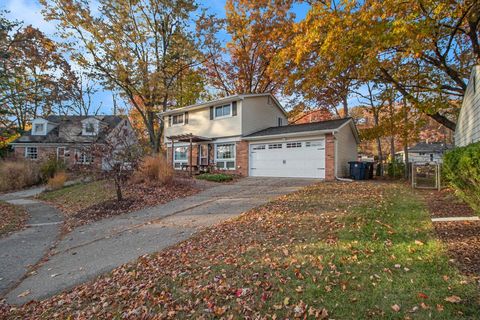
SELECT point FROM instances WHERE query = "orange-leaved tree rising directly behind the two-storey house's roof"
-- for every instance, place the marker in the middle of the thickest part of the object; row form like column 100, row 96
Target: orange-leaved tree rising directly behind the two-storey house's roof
column 258, row 30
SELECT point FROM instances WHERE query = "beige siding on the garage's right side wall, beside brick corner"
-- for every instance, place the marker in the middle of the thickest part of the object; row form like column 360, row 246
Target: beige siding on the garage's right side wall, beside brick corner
column 346, row 146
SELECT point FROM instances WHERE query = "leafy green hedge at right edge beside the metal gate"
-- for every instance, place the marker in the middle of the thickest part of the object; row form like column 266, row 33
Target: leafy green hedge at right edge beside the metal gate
column 461, row 170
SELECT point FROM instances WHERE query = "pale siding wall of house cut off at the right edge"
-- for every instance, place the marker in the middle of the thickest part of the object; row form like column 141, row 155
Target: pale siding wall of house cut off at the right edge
column 468, row 123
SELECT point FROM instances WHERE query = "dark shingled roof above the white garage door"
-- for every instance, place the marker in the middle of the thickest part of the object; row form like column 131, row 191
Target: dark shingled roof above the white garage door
column 329, row 125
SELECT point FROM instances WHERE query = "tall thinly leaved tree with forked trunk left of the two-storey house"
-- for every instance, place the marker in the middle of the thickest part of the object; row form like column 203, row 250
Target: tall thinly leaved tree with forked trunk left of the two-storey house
column 138, row 48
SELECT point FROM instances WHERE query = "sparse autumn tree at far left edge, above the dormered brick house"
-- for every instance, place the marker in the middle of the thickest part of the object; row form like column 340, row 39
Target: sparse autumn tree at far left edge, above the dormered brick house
column 35, row 77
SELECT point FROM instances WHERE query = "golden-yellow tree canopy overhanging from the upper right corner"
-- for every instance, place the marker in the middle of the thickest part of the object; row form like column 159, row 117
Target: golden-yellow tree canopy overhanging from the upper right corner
column 438, row 37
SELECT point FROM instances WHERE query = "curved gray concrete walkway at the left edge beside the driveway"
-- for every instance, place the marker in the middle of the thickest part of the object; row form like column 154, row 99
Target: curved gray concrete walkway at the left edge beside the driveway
column 23, row 249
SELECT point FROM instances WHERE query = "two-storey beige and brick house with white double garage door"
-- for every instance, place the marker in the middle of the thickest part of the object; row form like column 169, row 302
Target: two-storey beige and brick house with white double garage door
column 249, row 135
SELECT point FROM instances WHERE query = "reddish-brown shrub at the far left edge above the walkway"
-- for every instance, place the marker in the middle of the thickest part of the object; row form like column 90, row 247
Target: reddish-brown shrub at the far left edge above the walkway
column 18, row 174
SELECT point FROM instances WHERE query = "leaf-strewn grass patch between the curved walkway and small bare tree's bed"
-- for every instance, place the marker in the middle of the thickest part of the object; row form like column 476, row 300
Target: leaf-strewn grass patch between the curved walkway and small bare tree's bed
column 80, row 196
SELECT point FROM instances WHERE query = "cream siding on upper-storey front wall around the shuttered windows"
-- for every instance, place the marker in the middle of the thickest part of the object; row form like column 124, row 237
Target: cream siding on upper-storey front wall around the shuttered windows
column 199, row 124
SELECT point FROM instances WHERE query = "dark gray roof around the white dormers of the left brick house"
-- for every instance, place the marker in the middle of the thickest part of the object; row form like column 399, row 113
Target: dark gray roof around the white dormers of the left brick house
column 68, row 129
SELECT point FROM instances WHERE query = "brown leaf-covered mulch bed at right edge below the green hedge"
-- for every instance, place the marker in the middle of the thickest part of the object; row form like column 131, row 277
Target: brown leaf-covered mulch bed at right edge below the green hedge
column 462, row 238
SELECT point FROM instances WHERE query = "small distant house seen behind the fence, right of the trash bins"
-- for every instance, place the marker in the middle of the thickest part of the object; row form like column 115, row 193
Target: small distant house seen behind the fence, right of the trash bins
column 425, row 152
